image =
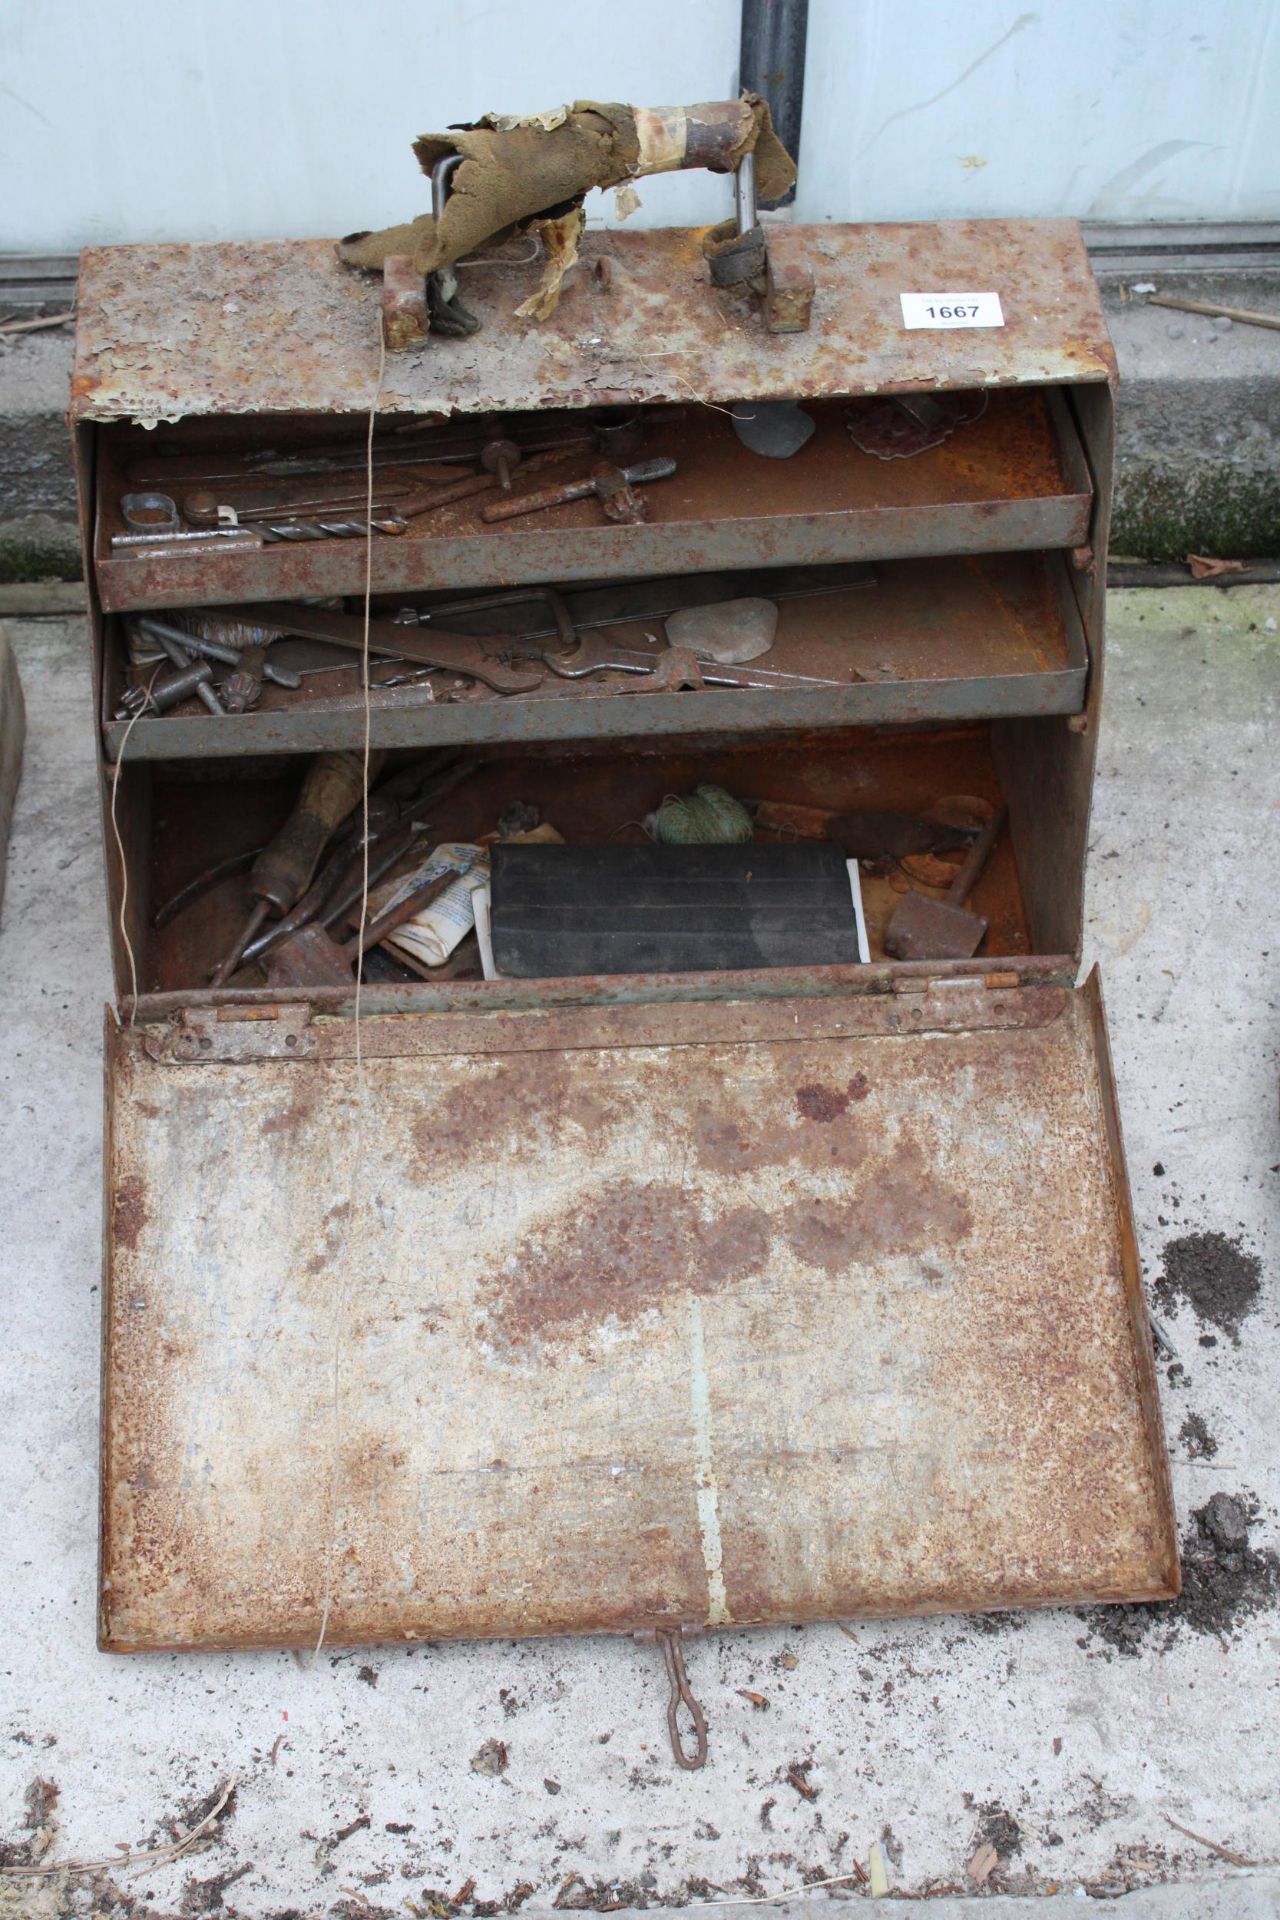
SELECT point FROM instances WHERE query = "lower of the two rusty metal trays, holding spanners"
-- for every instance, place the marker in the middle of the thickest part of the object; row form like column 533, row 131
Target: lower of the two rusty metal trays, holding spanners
column 932, row 640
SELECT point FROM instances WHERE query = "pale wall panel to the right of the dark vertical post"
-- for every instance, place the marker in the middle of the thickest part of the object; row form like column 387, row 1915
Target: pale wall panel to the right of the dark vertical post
column 1112, row 110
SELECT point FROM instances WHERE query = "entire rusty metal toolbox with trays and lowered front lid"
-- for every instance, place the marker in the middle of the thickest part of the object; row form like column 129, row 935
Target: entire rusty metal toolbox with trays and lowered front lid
column 652, row 1303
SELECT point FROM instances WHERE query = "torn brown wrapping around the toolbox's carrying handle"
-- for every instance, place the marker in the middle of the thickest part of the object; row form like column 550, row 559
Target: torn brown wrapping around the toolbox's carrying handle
column 544, row 166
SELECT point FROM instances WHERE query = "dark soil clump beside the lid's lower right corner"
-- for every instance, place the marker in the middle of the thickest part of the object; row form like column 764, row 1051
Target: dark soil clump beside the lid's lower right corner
column 1223, row 1583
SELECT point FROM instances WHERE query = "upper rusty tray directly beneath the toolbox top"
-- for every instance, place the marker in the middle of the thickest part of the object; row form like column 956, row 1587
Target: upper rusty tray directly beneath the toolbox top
column 1016, row 479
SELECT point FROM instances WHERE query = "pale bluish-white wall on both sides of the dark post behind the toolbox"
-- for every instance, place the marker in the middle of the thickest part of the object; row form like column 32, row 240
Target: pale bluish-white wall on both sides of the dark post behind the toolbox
column 133, row 120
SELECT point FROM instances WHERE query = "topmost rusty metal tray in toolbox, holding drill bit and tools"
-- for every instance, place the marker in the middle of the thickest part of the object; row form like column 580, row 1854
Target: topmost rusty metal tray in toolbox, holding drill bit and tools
column 1012, row 477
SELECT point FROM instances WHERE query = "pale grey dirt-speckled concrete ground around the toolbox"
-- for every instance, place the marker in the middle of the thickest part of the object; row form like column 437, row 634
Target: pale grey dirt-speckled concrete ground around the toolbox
column 1068, row 1744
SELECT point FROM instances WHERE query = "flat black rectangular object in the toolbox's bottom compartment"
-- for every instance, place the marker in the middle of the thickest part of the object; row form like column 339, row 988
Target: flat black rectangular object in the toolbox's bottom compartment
column 567, row 911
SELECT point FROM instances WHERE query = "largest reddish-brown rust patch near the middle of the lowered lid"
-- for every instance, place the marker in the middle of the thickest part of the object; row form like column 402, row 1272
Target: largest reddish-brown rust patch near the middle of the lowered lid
column 623, row 1255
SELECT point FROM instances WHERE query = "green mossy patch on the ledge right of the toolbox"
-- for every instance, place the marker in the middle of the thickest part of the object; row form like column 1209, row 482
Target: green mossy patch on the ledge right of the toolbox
column 1170, row 510
